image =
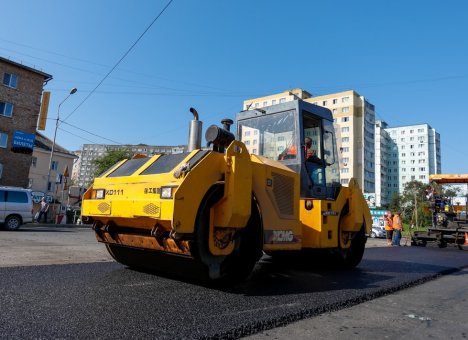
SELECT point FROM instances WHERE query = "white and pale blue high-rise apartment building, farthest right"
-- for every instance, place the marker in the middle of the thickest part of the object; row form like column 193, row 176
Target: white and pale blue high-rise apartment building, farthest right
column 414, row 155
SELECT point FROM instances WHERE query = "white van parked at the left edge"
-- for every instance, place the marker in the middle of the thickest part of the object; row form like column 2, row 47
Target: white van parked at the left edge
column 16, row 207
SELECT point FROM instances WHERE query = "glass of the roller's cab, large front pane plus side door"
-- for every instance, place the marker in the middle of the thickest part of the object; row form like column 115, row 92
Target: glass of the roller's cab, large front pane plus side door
column 304, row 142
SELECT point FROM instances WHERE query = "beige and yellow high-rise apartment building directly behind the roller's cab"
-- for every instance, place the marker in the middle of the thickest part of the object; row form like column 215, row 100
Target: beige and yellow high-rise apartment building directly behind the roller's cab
column 354, row 119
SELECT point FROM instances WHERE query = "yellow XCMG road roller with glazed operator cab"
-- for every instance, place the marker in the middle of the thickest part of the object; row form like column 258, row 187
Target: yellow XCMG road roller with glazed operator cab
column 274, row 189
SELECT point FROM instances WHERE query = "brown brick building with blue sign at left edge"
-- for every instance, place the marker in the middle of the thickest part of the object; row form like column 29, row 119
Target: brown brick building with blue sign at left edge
column 20, row 101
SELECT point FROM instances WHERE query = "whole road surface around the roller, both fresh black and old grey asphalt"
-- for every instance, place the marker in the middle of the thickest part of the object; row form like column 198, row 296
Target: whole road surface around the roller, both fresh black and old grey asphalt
column 97, row 298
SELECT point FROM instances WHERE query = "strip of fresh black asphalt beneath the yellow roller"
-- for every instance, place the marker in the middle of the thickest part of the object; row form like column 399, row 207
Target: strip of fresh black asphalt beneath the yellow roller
column 108, row 300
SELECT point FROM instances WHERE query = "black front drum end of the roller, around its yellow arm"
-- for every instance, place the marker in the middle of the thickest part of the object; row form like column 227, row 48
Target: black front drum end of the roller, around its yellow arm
column 247, row 249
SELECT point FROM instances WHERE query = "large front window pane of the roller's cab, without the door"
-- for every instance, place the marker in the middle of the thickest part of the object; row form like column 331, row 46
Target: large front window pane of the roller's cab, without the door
column 272, row 136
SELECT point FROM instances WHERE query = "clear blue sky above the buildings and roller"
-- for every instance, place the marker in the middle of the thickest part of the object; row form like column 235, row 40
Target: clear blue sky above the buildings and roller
column 138, row 71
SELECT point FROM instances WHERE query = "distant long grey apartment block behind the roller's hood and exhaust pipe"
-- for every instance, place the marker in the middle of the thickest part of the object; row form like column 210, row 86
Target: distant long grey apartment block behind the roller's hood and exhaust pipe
column 83, row 169
